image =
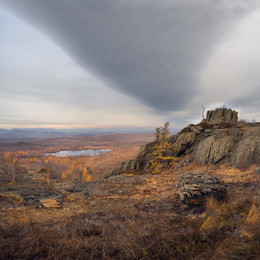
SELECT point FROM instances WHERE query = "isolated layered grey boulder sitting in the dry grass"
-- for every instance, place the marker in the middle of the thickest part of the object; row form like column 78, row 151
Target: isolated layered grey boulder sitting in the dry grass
column 195, row 188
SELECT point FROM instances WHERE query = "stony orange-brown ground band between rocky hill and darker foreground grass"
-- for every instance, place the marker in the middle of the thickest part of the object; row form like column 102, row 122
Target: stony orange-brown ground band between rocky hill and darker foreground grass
column 33, row 194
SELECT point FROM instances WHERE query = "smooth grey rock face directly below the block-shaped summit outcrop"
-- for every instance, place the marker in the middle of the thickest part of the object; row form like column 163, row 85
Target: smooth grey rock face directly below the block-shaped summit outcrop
column 233, row 145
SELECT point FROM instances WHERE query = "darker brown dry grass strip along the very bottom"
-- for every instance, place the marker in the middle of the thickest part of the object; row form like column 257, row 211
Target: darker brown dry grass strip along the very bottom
column 228, row 230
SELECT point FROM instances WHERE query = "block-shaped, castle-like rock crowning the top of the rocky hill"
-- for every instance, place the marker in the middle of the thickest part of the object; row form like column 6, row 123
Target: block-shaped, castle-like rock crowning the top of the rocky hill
column 221, row 115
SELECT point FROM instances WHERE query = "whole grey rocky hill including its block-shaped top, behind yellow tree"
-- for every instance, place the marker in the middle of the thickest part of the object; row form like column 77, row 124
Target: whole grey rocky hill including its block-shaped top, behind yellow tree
column 207, row 143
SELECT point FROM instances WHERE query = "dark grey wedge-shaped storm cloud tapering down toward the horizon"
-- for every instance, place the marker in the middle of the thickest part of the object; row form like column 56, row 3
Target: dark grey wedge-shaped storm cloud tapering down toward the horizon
column 153, row 50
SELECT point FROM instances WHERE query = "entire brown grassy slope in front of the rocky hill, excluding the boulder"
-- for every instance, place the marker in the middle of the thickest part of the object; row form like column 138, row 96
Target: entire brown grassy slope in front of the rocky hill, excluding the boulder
column 137, row 217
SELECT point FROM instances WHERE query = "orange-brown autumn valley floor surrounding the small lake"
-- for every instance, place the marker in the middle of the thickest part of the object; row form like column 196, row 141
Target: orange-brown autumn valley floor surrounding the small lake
column 123, row 147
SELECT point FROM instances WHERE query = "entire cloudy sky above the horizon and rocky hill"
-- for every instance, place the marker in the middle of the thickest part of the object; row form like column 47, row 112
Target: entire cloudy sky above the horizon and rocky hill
column 85, row 63
